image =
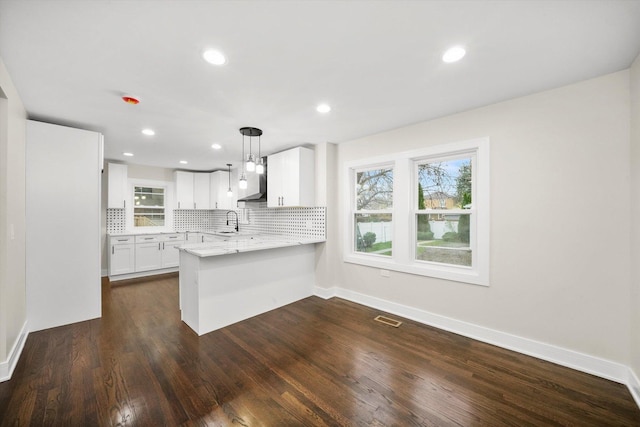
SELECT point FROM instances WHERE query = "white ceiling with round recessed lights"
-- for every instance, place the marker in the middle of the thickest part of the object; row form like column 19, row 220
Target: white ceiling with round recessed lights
column 377, row 63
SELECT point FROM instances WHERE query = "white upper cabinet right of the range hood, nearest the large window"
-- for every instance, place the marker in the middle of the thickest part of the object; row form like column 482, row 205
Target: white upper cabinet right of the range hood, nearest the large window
column 290, row 179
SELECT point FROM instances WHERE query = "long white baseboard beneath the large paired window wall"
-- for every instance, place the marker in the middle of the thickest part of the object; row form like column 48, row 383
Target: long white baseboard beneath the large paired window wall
column 572, row 359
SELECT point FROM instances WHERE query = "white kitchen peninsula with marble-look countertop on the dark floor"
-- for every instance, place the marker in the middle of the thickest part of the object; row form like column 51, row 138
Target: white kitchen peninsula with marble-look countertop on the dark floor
column 228, row 281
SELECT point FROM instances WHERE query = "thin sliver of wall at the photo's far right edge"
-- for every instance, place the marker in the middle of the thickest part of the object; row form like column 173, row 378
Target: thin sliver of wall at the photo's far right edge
column 635, row 215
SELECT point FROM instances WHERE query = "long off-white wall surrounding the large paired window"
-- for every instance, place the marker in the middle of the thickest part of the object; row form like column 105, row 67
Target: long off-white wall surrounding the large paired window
column 556, row 154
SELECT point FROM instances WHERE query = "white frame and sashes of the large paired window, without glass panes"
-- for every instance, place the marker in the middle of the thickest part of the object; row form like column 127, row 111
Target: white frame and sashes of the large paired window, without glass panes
column 405, row 183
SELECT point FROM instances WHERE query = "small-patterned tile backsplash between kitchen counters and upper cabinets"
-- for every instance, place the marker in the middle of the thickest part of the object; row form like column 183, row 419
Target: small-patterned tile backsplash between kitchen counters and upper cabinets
column 294, row 222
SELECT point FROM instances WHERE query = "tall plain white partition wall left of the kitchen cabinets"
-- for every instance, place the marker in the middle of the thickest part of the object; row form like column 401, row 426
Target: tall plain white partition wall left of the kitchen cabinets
column 63, row 247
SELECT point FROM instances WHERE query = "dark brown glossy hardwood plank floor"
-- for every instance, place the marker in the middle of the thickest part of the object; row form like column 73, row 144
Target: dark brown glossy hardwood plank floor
column 312, row 363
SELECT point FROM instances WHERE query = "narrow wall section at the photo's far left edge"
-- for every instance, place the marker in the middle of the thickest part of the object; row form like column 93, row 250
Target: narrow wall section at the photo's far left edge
column 13, row 314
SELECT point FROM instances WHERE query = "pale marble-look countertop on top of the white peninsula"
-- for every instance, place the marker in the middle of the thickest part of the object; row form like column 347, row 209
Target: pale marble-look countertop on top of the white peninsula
column 238, row 244
